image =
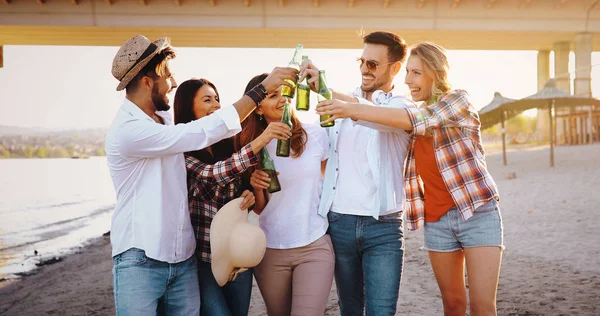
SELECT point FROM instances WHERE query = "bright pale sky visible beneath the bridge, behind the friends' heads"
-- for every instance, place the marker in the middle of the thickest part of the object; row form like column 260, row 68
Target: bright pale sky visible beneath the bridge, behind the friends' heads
column 71, row 87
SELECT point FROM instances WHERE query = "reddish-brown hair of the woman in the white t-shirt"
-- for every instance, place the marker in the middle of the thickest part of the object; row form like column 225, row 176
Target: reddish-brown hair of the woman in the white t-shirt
column 252, row 127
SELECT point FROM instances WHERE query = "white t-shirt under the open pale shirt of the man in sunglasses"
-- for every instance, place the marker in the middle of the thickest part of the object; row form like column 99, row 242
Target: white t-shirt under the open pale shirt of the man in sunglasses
column 356, row 190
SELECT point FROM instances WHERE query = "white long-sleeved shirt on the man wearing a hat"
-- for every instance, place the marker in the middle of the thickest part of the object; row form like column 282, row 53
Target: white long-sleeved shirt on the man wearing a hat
column 147, row 167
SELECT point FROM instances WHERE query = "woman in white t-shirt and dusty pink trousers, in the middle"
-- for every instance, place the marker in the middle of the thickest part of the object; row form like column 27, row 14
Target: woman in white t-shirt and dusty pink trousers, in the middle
column 296, row 273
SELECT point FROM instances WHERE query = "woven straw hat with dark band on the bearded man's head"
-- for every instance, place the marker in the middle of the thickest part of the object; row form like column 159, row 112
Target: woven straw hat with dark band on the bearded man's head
column 134, row 55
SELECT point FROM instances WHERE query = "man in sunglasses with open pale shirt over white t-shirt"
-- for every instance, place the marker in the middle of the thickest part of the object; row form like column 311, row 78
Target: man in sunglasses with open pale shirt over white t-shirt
column 363, row 190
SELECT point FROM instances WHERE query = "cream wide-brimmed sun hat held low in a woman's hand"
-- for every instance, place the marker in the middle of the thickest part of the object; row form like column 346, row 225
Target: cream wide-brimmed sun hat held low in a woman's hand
column 235, row 244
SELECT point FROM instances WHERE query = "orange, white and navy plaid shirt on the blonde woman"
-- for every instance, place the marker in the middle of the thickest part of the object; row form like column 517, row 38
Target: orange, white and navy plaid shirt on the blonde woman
column 455, row 126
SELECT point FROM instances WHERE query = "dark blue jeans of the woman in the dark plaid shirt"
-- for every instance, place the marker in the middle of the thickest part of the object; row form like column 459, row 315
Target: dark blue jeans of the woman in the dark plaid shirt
column 233, row 299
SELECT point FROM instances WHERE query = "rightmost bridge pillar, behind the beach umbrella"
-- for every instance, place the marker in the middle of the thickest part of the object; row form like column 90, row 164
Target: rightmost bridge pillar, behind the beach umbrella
column 583, row 79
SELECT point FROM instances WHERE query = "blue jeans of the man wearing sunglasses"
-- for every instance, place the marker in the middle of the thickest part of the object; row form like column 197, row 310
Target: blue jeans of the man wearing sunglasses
column 368, row 262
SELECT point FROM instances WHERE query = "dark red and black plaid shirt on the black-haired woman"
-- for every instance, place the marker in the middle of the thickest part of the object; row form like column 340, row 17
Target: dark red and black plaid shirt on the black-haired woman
column 210, row 187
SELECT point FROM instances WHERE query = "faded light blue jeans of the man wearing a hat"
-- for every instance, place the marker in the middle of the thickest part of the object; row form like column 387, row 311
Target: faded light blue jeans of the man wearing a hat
column 144, row 286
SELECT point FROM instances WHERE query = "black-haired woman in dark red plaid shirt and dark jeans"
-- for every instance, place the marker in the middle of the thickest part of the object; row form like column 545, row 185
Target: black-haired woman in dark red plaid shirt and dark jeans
column 214, row 179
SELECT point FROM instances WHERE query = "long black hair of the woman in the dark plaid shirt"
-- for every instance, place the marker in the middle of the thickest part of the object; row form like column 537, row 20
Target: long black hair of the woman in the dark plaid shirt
column 183, row 108
